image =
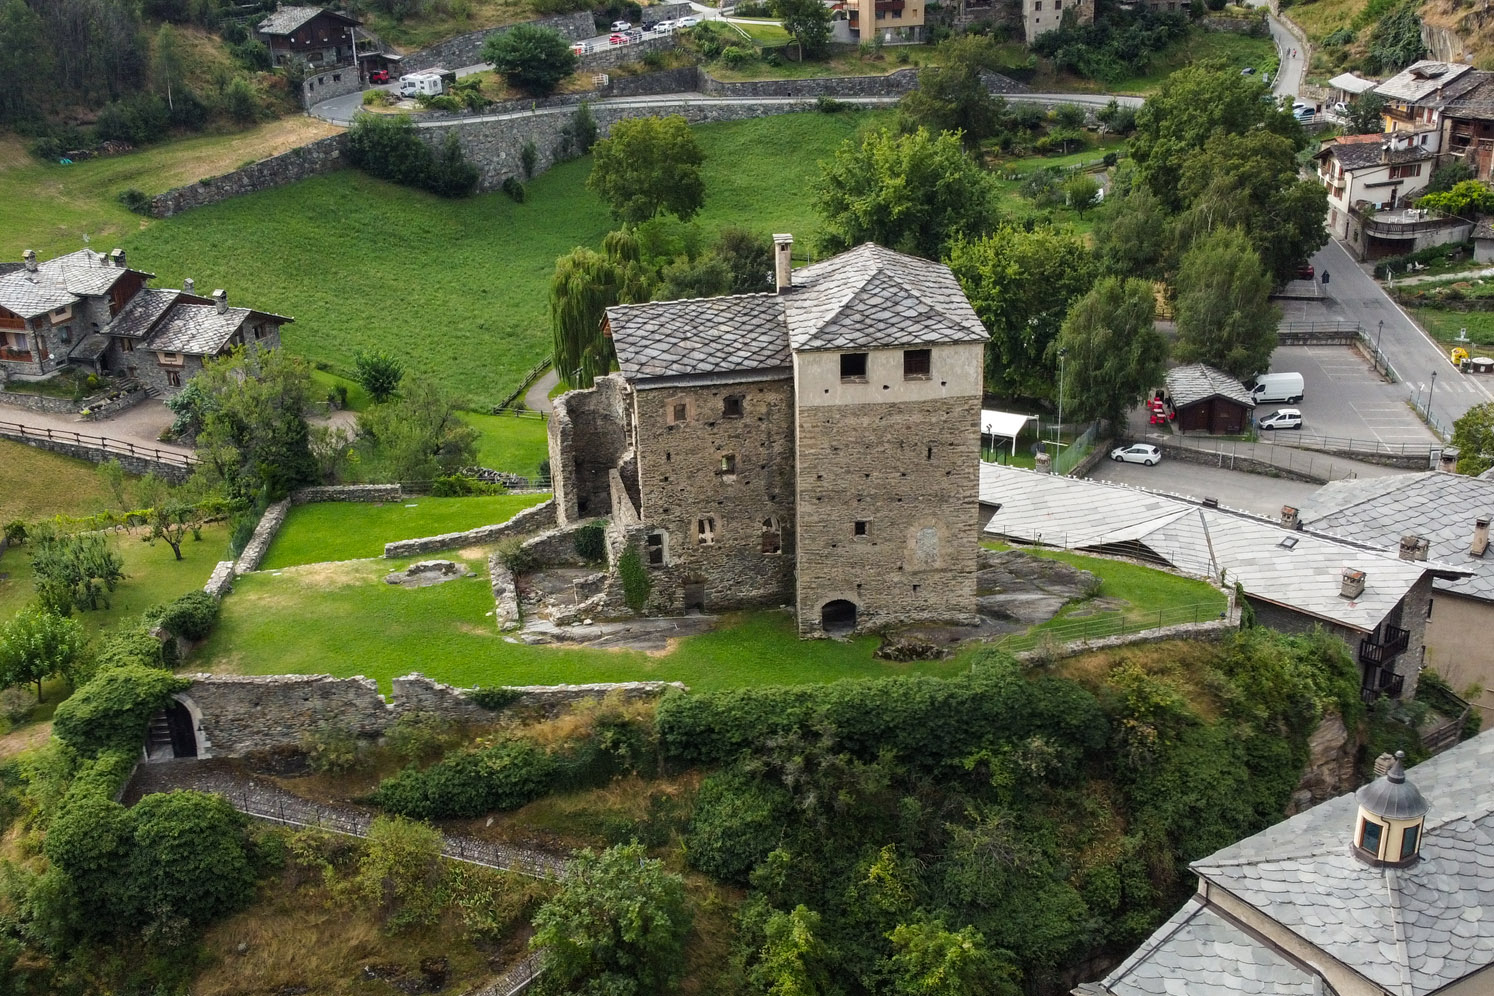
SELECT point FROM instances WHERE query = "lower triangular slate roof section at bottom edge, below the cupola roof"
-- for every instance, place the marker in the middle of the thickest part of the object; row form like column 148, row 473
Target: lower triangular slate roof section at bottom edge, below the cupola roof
column 1202, row 953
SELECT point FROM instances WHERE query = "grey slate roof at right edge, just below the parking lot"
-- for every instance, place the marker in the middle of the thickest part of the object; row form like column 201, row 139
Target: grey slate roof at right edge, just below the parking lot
column 1435, row 505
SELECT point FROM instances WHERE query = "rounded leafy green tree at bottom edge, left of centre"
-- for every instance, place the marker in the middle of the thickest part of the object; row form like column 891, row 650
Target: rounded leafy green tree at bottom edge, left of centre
column 616, row 927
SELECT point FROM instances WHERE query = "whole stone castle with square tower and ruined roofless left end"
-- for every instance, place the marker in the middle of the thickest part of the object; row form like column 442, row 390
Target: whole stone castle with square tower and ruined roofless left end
column 815, row 447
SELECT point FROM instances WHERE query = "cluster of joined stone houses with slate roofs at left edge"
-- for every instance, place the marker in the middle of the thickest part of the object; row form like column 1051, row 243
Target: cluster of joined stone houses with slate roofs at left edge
column 92, row 310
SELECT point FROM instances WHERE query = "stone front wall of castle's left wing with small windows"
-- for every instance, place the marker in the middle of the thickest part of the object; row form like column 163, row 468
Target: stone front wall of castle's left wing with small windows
column 684, row 482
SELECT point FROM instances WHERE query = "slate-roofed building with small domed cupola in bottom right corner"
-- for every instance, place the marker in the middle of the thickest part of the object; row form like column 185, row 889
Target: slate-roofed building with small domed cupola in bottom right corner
column 1386, row 892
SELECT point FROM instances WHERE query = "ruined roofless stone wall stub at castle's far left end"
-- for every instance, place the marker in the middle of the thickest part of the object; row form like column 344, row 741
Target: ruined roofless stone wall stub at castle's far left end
column 591, row 432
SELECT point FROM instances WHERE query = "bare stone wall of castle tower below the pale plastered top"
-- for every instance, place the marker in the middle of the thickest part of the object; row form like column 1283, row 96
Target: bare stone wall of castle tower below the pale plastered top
column 911, row 473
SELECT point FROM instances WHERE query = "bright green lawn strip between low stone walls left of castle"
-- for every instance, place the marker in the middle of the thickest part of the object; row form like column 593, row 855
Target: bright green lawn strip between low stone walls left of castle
column 352, row 531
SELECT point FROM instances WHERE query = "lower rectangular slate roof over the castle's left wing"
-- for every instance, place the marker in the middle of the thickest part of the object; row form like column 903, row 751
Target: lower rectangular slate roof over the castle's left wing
column 710, row 335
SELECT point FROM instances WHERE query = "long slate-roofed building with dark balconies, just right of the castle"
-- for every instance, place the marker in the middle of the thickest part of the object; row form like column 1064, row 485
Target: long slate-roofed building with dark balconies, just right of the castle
column 1293, row 579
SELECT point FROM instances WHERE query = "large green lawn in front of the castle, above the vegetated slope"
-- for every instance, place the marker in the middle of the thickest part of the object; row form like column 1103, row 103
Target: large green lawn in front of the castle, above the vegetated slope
column 344, row 620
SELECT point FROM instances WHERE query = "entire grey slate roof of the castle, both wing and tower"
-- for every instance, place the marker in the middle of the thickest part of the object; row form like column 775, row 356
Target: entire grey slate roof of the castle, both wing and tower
column 864, row 299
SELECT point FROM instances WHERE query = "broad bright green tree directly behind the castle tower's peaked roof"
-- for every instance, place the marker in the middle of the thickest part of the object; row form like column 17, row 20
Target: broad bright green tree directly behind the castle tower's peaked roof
column 914, row 193
